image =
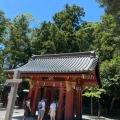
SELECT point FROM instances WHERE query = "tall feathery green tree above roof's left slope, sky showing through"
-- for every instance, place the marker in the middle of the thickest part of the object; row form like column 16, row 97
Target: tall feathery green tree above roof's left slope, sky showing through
column 17, row 45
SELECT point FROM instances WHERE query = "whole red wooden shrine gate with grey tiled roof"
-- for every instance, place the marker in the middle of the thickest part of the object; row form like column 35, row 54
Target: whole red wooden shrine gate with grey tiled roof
column 67, row 73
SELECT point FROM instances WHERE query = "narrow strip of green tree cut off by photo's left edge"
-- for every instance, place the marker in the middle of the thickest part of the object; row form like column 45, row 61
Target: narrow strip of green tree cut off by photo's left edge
column 3, row 25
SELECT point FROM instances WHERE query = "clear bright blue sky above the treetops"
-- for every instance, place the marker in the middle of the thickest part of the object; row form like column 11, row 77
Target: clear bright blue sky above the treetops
column 45, row 9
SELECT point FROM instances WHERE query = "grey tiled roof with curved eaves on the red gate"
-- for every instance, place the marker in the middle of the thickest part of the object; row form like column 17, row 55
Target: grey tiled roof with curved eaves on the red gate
column 81, row 62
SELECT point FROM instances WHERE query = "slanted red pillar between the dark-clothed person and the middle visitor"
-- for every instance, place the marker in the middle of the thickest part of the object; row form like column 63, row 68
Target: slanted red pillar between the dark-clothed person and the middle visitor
column 35, row 100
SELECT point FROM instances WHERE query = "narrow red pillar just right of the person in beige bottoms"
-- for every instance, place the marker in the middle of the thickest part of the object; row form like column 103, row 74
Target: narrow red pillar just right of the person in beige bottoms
column 60, row 104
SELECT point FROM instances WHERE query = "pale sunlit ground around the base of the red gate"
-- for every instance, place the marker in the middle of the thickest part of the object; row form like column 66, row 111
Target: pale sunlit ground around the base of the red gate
column 18, row 115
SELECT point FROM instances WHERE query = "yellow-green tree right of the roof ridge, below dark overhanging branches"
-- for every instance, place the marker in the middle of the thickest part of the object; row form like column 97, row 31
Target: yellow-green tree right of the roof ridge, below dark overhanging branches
column 105, row 38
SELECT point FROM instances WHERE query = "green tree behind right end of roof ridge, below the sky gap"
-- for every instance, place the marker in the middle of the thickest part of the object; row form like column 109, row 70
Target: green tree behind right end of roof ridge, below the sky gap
column 85, row 36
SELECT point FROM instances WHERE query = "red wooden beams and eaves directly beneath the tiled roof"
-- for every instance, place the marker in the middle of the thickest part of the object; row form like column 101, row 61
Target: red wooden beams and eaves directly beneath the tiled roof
column 62, row 77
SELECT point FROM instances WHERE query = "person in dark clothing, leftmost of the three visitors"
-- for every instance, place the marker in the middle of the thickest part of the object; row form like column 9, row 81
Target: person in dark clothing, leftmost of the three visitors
column 27, row 109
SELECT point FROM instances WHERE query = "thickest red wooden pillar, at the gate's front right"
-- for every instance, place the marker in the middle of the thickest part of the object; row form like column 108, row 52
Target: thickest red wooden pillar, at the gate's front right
column 69, row 104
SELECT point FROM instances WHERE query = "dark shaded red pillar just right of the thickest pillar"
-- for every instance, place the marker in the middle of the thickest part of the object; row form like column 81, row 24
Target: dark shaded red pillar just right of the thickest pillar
column 79, row 104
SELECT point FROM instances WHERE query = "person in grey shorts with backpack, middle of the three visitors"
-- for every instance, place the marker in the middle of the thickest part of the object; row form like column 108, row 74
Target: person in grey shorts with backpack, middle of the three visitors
column 41, row 109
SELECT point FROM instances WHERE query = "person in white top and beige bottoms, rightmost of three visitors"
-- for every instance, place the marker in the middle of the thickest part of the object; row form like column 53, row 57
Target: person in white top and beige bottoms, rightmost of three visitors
column 52, row 110
